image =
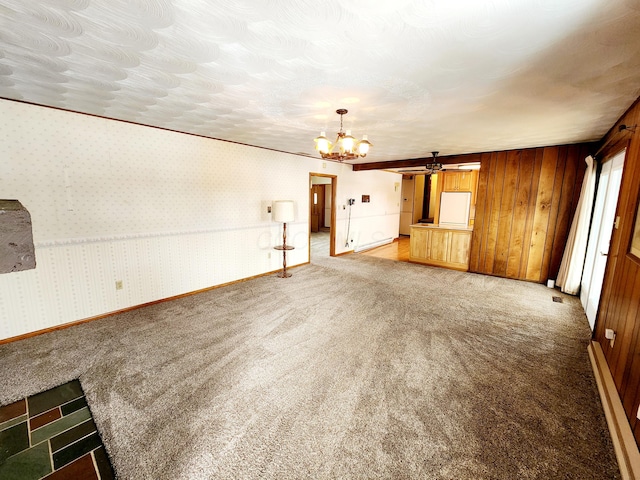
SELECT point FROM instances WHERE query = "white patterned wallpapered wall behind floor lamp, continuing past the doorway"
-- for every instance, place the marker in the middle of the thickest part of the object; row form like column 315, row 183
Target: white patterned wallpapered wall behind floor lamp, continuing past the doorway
column 163, row 212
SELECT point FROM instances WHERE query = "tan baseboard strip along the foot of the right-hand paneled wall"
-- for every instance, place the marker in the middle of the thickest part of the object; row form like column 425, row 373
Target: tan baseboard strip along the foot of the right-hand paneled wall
column 624, row 442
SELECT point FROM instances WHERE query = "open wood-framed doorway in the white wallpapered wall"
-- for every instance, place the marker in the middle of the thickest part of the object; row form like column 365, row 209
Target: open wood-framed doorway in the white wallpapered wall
column 322, row 214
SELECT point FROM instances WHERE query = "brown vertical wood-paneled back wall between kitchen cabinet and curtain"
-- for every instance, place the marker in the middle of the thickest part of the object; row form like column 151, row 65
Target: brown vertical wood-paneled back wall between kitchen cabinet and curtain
column 525, row 204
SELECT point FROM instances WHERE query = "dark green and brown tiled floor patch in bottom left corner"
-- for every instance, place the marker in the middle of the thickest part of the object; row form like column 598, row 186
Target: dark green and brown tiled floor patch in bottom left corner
column 51, row 435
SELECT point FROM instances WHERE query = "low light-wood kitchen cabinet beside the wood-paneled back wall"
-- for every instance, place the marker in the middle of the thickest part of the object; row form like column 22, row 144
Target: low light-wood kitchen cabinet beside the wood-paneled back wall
column 442, row 247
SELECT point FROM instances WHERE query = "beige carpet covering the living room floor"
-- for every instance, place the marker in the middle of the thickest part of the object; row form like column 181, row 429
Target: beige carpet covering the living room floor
column 355, row 367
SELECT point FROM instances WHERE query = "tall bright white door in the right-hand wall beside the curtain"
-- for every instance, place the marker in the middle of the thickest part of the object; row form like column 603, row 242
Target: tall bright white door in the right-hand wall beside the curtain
column 602, row 222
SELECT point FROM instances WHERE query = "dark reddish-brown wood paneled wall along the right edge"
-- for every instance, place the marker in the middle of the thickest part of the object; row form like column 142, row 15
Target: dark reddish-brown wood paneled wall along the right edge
column 619, row 307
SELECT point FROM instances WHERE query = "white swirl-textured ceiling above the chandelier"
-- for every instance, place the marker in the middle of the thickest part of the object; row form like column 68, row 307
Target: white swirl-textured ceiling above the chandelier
column 457, row 76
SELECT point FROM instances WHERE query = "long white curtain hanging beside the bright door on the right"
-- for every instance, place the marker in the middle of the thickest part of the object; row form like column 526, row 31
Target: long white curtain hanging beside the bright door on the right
column 570, row 274
